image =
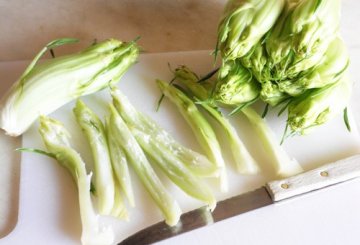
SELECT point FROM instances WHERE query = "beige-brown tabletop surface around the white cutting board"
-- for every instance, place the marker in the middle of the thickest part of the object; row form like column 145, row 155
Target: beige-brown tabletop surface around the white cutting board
column 164, row 26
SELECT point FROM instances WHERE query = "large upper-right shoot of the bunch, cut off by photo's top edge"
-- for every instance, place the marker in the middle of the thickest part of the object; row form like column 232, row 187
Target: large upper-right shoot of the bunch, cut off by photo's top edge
column 301, row 36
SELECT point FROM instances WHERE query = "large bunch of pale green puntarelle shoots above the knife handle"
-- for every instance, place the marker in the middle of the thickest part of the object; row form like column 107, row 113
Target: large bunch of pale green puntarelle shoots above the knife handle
column 296, row 57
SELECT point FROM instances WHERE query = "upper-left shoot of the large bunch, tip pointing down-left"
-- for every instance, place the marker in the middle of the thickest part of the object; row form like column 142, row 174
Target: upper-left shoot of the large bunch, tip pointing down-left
column 244, row 23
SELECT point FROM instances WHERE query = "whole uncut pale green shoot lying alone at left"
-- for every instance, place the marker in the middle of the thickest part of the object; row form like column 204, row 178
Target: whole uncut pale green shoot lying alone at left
column 45, row 87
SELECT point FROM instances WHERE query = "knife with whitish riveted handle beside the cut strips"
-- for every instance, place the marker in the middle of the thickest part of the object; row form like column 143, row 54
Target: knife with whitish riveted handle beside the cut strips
column 272, row 192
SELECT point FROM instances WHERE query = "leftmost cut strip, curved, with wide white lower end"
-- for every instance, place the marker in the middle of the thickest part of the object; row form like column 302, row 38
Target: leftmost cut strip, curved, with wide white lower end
column 55, row 138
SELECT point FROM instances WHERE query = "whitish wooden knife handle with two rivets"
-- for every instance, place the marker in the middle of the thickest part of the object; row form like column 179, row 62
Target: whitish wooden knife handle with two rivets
column 329, row 174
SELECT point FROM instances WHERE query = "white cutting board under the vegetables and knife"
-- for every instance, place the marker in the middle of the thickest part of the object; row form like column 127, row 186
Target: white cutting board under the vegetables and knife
column 48, row 206
